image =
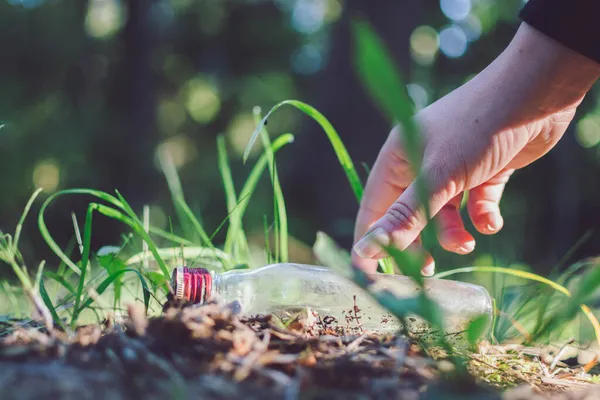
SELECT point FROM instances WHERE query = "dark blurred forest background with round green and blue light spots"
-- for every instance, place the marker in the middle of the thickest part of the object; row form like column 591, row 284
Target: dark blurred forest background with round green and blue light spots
column 91, row 89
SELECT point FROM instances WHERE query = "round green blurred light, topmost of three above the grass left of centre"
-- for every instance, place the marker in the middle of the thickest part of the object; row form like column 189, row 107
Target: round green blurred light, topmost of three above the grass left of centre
column 202, row 100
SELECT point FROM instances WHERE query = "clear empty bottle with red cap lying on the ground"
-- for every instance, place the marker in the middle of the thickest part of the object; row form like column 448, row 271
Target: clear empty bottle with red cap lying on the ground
column 280, row 287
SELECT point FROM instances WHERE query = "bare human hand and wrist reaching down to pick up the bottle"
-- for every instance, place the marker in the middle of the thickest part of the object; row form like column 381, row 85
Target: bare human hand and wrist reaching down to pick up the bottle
column 508, row 116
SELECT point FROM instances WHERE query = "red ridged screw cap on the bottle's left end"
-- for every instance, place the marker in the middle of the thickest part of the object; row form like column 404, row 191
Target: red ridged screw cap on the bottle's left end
column 191, row 284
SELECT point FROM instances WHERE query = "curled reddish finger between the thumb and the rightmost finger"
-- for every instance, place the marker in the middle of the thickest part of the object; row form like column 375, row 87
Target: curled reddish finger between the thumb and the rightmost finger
column 452, row 234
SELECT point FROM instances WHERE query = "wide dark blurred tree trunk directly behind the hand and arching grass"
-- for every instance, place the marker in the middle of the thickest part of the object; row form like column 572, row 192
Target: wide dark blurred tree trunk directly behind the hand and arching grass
column 314, row 184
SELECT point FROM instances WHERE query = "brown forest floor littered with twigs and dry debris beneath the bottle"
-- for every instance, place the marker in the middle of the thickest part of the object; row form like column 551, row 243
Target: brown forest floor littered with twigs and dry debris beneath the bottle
column 210, row 352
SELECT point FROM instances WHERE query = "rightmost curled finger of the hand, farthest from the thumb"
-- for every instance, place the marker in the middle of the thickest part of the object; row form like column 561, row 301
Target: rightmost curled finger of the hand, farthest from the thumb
column 483, row 203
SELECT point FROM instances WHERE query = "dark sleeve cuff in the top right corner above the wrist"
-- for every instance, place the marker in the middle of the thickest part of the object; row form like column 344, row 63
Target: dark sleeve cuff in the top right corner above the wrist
column 574, row 23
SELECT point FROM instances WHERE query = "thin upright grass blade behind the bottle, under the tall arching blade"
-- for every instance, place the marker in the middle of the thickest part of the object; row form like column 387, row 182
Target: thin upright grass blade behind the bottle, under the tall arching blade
column 281, row 231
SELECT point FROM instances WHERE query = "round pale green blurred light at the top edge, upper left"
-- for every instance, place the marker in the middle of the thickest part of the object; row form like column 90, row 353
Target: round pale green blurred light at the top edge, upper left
column 104, row 18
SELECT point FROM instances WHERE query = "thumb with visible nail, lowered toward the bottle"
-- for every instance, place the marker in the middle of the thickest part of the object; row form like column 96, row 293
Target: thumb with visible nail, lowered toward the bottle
column 404, row 220
